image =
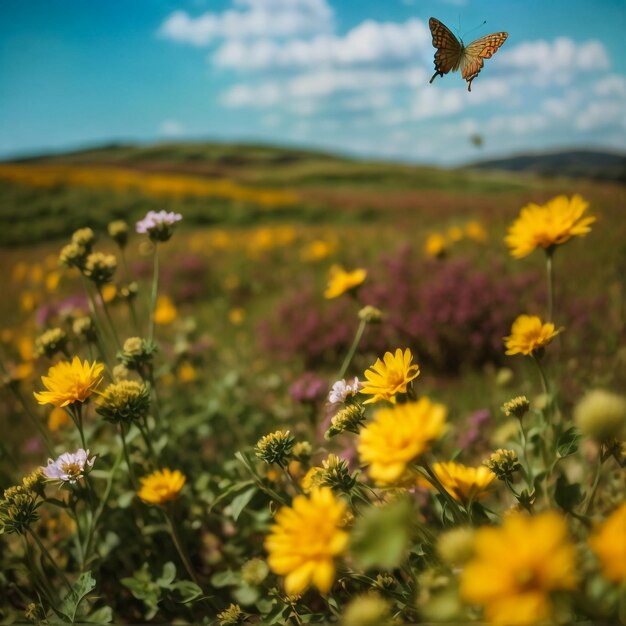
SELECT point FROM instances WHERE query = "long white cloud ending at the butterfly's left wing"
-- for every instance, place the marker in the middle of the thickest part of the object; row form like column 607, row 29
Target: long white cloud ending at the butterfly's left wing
column 369, row 42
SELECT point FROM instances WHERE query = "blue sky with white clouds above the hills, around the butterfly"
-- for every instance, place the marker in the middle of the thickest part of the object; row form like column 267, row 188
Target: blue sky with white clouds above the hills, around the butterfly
column 345, row 75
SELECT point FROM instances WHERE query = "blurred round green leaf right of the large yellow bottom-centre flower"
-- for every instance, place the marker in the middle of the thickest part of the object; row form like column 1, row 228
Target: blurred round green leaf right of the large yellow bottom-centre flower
column 381, row 535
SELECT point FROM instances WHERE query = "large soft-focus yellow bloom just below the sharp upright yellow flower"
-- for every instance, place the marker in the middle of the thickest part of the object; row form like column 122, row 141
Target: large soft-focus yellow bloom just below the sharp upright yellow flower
column 398, row 435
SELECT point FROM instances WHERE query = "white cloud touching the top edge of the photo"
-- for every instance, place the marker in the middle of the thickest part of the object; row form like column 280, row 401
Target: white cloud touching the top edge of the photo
column 252, row 18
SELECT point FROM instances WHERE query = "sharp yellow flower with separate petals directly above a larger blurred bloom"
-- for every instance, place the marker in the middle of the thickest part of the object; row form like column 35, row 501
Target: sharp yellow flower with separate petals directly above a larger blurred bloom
column 390, row 376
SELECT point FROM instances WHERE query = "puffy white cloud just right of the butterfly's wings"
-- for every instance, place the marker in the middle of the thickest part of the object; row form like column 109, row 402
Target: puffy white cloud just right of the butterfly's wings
column 557, row 62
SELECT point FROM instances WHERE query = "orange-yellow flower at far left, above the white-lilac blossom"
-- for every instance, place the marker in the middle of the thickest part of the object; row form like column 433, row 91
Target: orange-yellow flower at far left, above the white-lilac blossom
column 67, row 382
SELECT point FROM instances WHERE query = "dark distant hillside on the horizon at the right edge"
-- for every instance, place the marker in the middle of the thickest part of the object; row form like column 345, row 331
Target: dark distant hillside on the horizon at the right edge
column 572, row 163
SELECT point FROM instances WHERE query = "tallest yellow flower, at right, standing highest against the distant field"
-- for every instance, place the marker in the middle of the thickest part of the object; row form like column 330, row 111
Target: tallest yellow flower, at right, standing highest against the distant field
column 549, row 225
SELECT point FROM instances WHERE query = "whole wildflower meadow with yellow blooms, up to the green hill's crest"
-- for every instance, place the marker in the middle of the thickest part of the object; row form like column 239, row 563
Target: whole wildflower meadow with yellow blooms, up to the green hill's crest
column 252, row 386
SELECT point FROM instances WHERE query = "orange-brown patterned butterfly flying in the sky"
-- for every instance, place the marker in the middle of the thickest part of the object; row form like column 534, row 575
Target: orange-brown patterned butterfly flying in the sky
column 452, row 54
